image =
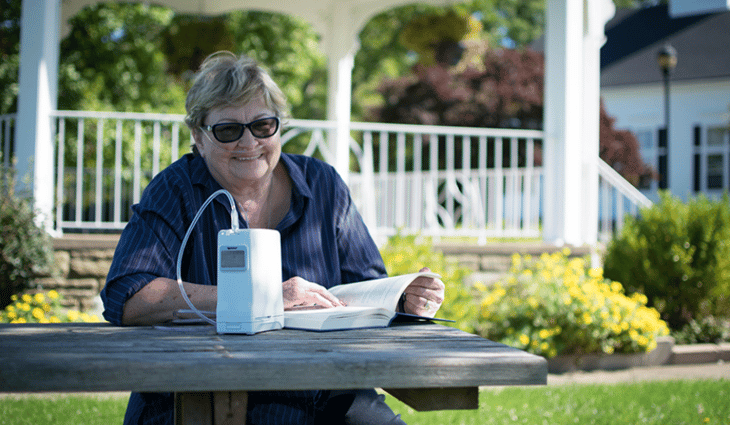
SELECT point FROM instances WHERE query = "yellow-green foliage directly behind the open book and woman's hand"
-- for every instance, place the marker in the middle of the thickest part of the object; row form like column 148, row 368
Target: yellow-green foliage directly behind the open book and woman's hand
column 404, row 254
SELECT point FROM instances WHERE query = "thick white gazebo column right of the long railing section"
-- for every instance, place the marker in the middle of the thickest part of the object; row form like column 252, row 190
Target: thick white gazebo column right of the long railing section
column 574, row 34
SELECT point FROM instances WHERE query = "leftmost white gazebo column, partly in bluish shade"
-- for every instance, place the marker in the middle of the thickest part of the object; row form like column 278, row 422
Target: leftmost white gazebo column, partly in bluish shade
column 38, row 89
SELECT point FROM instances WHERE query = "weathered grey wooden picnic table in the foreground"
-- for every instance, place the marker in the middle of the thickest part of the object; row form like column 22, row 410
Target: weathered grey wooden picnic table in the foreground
column 427, row 366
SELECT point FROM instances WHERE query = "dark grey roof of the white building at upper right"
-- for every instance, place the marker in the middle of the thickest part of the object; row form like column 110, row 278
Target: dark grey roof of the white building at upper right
column 635, row 36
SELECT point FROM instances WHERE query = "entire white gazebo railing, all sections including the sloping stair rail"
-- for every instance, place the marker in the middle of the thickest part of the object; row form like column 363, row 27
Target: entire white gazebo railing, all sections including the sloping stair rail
column 437, row 181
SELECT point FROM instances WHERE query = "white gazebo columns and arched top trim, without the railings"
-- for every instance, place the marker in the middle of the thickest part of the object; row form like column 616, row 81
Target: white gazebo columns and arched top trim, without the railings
column 574, row 34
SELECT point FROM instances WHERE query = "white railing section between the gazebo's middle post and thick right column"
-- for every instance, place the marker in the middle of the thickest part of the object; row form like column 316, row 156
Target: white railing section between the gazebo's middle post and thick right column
column 448, row 181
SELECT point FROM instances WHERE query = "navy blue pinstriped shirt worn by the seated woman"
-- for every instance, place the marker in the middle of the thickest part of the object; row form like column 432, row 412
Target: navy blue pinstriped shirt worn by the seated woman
column 323, row 240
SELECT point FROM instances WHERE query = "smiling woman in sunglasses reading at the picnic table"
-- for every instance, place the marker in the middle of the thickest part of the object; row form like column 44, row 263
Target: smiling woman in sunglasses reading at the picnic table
column 234, row 111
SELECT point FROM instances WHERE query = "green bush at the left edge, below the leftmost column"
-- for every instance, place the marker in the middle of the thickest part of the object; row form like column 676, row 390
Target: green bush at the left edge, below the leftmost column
column 25, row 249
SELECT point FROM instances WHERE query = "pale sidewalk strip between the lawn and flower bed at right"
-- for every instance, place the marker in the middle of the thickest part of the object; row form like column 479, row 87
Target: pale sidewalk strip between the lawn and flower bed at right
column 718, row 370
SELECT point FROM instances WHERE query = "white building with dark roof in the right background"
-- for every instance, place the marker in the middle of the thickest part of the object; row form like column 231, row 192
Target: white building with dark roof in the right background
column 696, row 156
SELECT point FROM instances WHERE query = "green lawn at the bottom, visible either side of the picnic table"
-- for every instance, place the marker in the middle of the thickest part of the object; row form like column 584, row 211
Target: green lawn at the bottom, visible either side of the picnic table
column 669, row 402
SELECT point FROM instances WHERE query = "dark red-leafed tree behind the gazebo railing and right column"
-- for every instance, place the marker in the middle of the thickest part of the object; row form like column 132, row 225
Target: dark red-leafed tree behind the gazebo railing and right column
column 504, row 90
